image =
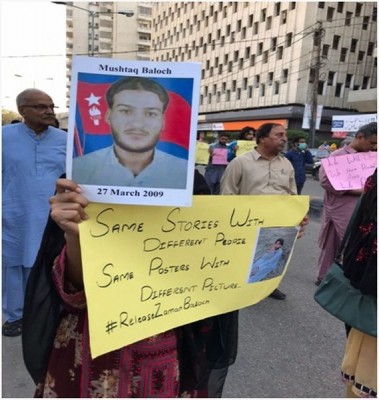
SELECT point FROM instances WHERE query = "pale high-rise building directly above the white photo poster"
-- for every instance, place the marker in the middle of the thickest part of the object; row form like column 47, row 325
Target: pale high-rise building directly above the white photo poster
column 108, row 29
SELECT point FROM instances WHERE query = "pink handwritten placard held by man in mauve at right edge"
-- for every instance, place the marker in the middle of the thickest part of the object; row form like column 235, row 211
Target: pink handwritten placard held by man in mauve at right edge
column 350, row 171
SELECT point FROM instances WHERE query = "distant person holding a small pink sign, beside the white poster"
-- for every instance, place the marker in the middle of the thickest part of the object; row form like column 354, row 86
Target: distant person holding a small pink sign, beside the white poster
column 217, row 162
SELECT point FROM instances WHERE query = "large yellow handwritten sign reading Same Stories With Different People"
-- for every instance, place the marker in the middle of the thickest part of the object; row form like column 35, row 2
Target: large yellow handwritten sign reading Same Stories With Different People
column 150, row 269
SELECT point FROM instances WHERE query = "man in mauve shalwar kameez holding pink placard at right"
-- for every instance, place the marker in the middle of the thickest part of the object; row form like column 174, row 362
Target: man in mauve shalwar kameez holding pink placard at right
column 339, row 204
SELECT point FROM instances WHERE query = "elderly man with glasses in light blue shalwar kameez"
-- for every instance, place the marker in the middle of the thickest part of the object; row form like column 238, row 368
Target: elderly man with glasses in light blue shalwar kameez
column 33, row 158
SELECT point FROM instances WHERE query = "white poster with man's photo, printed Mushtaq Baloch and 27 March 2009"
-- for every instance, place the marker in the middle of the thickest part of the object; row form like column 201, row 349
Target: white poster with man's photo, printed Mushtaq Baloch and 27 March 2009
column 132, row 130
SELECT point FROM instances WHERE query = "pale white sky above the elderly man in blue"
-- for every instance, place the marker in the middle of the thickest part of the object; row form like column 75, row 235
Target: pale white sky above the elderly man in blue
column 33, row 46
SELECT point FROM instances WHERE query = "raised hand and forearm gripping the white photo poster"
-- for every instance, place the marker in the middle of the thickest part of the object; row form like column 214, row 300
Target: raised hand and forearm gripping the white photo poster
column 67, row 210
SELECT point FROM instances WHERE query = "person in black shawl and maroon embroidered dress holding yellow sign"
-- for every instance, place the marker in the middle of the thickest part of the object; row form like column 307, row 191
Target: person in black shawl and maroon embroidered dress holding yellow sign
column 56, row 348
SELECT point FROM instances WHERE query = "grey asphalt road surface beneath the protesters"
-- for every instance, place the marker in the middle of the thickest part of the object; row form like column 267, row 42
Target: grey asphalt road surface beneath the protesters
column 288, row 348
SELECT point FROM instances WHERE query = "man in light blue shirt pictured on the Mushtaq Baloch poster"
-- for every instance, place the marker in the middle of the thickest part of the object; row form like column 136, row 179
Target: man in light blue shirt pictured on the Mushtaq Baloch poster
column 136, row 108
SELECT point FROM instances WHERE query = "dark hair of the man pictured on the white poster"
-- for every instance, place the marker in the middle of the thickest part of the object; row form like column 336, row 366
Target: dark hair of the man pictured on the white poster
column 137, row 83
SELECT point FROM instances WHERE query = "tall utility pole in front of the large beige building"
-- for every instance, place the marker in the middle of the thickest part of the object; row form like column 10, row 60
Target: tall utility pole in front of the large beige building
column 316, row 65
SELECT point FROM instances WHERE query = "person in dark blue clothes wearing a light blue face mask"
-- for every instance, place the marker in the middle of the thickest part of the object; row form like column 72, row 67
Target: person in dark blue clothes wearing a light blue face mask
column 299, row 156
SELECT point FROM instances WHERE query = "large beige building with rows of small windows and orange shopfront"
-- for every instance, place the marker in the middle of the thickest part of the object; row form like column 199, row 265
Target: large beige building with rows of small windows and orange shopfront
column 267, row 60
